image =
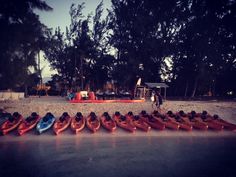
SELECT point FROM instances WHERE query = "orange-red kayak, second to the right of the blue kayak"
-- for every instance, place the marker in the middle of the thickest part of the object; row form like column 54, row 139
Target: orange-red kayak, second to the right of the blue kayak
column 77, row 123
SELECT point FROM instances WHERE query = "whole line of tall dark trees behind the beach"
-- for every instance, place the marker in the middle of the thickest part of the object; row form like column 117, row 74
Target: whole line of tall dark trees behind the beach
column 190, row 44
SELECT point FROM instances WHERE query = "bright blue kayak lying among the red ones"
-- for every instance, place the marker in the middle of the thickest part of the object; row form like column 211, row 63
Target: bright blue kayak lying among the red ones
column 45, row 123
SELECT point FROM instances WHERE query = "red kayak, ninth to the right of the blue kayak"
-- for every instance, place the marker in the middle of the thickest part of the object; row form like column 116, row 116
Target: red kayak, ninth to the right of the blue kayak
column 184, row 125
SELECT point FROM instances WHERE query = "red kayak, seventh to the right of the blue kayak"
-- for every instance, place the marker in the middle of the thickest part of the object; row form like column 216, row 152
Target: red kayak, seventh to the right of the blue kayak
column 152, row 121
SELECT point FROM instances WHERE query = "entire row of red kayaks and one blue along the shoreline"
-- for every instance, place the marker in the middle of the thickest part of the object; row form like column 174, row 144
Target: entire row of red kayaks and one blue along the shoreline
column 128, row 122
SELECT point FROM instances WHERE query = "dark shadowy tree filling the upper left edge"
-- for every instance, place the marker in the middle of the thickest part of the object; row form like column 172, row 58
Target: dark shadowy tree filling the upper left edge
column 17, row 51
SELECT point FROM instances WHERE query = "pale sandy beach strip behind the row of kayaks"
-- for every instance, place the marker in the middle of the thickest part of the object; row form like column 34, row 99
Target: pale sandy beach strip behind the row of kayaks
column 58, row 105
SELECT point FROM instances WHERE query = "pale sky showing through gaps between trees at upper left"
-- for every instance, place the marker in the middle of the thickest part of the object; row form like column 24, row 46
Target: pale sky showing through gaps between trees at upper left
column 59, row 16
